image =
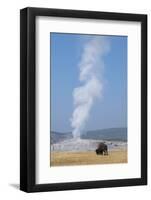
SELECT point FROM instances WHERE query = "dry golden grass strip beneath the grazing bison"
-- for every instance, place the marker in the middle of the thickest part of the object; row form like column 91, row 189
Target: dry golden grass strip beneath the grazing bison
column 85, row 158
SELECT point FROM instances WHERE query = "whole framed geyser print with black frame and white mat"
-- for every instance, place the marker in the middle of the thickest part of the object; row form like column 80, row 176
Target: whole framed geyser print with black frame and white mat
column 83, row 99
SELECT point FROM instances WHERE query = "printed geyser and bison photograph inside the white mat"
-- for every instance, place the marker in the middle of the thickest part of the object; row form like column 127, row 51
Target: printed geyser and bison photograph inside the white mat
column 88, row 99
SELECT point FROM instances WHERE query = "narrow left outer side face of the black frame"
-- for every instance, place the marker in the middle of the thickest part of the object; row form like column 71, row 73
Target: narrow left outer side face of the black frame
column 23, row 100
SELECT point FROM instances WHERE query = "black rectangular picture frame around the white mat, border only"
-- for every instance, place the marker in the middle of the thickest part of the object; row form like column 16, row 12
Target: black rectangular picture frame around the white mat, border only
column 28, row 99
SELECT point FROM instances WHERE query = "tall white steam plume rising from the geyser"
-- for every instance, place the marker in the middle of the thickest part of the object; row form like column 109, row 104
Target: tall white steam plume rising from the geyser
column 90, row 77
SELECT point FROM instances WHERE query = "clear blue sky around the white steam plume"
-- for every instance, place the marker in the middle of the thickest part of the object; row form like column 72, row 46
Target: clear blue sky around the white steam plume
column 107, row 112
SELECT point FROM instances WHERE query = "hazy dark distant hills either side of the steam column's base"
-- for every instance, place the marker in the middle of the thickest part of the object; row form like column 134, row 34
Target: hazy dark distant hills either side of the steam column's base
column 114, row 134
